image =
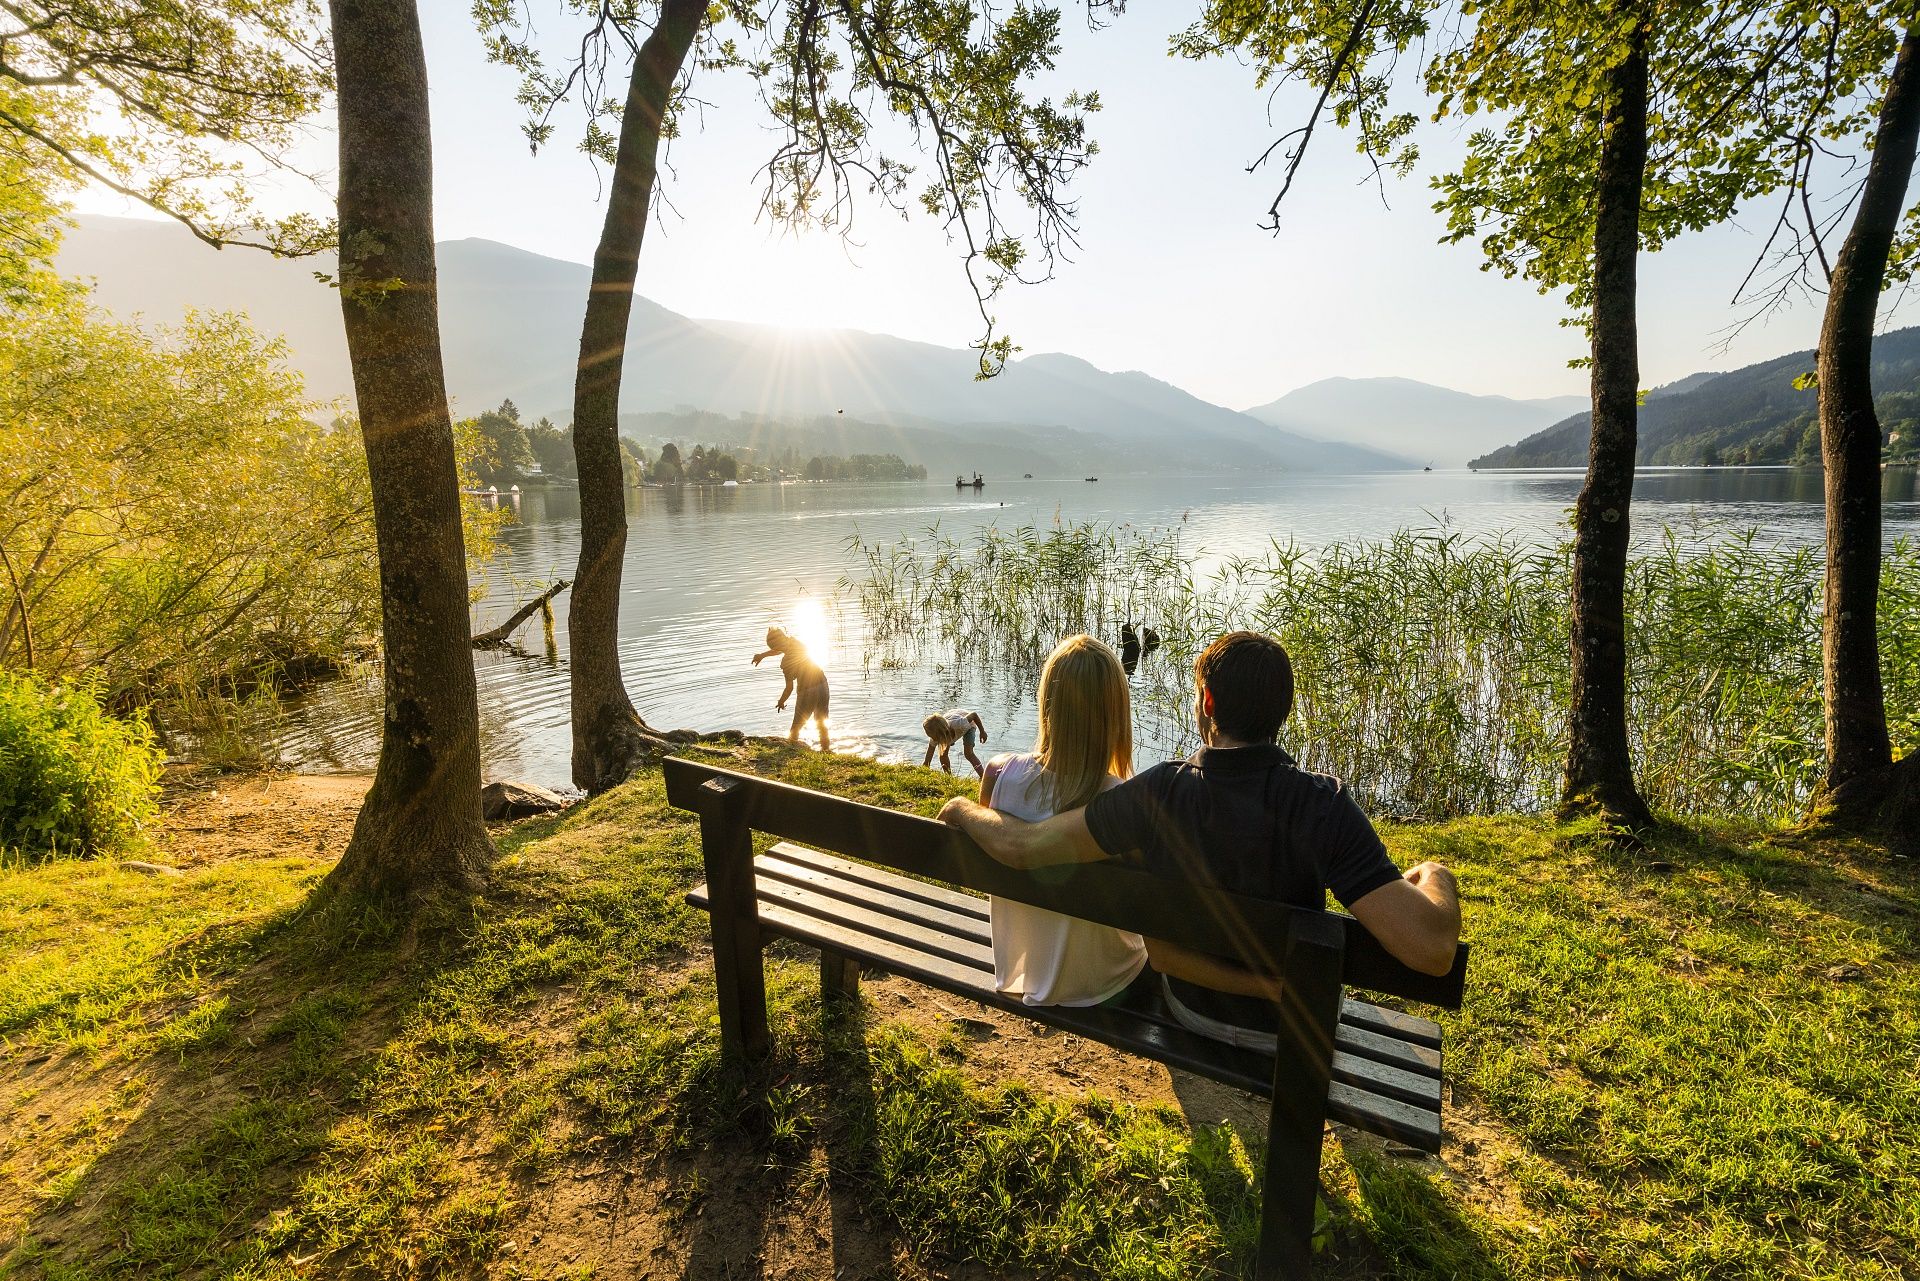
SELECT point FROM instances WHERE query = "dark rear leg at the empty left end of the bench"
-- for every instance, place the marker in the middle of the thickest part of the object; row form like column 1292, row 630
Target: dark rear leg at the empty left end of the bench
column 740, row 971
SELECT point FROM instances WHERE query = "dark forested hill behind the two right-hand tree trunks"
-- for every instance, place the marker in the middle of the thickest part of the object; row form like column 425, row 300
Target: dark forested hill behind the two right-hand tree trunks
column 1740, row 418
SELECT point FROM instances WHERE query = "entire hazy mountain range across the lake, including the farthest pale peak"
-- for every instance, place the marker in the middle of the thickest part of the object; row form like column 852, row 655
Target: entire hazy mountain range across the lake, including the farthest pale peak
column 512, row 324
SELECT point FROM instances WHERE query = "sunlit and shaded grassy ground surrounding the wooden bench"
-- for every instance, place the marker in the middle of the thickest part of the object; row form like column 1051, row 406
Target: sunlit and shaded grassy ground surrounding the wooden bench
column 1702, row 1071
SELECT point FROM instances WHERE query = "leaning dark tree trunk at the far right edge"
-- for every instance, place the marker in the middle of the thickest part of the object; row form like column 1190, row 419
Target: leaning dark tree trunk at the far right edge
column 1858, row 750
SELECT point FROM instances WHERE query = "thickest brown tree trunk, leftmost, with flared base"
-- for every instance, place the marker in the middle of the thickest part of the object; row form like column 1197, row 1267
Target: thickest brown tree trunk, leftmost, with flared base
column 420, row 831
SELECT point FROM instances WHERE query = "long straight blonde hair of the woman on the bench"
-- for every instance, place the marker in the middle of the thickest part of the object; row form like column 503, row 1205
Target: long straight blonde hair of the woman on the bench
column 1086, row 721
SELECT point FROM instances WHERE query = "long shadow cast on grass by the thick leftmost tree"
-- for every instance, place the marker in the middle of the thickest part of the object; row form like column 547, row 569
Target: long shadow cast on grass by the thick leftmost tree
column 235, row 1098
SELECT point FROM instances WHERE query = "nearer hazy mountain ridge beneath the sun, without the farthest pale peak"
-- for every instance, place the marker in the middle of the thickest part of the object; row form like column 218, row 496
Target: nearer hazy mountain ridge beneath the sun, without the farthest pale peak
column 512, row 326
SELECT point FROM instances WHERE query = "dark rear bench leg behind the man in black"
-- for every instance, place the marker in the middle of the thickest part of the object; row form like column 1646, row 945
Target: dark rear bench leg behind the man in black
column 1303, row 1073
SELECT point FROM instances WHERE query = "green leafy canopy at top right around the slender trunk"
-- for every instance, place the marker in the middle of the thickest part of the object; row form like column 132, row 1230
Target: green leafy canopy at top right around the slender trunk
column 1744, row 95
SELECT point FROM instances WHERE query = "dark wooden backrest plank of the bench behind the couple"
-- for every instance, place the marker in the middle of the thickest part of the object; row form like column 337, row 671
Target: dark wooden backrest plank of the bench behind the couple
column 1199, row 917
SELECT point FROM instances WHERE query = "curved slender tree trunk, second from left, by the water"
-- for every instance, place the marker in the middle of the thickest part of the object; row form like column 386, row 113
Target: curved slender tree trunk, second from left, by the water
column 610, row 737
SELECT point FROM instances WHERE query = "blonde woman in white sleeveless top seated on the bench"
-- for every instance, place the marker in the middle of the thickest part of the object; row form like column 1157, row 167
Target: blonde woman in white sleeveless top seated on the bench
column 1086, row 746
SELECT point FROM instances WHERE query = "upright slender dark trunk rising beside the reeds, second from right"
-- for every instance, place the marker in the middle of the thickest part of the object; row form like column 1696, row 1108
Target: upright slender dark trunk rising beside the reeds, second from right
column 1600, row 771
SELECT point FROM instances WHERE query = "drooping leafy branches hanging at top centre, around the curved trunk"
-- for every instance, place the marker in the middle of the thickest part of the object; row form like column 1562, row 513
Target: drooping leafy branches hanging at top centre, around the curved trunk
column 846, row 85
